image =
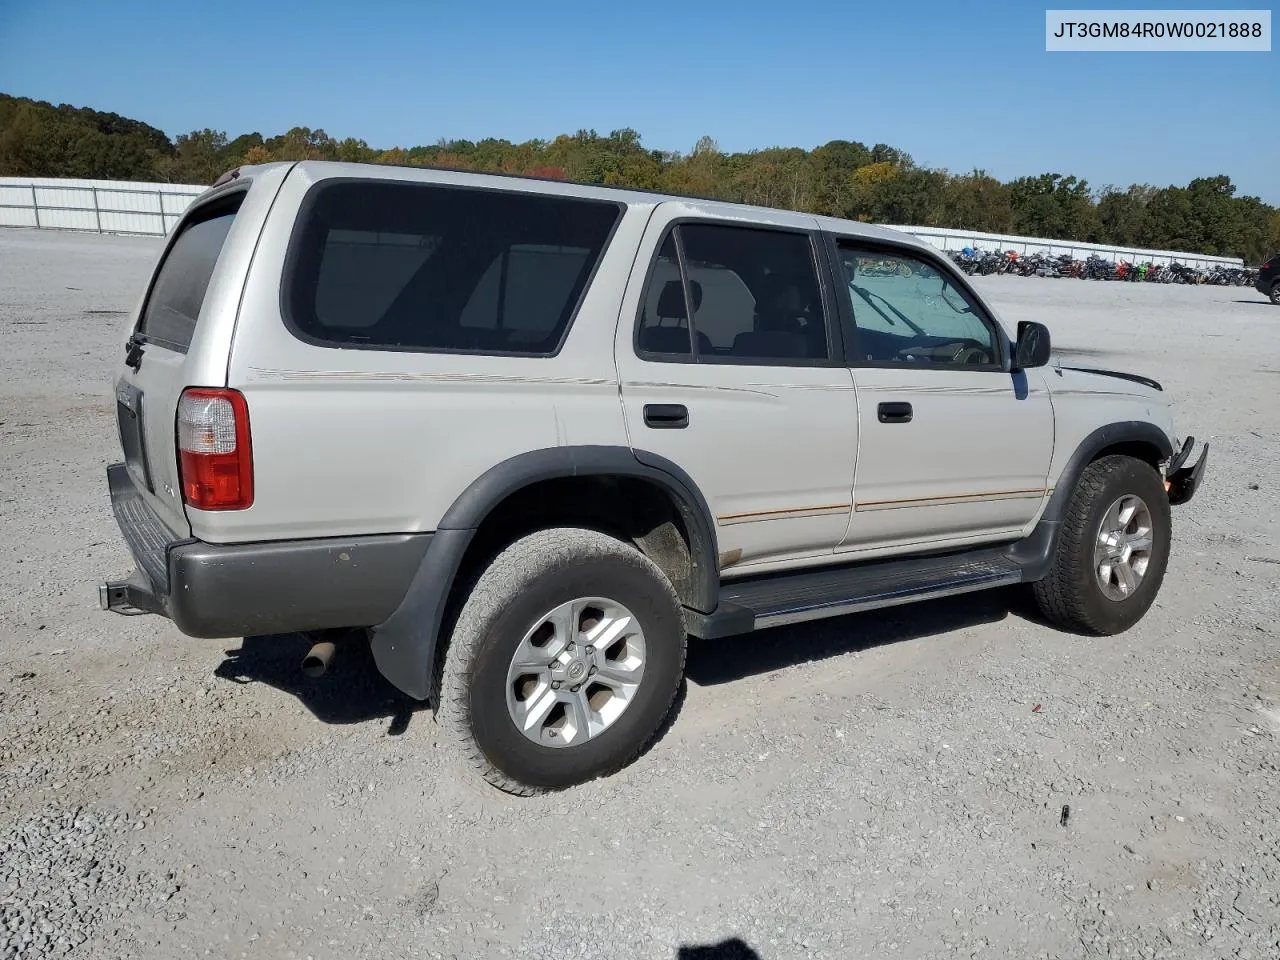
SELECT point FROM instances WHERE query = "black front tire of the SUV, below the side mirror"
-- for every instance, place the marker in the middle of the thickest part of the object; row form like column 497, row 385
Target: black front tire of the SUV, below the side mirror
column 1073, row 595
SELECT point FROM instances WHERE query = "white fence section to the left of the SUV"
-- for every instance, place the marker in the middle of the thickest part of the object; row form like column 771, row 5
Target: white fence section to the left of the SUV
column 103, row 207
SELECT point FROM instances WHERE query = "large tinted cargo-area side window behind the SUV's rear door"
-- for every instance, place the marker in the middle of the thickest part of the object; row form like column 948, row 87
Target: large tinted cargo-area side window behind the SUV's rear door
column 427, row 268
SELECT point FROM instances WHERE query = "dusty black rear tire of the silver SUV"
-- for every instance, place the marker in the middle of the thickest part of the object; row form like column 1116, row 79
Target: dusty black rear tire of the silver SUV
column 508, row 611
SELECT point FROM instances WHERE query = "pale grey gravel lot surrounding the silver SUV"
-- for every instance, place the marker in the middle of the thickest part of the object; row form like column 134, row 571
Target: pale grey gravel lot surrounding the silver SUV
column 874, row 787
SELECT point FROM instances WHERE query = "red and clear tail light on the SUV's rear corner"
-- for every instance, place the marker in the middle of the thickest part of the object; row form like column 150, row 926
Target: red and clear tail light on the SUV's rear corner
column 214, row 456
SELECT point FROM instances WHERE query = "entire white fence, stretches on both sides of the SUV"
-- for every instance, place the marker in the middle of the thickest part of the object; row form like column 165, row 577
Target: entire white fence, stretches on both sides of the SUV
column 153, row 209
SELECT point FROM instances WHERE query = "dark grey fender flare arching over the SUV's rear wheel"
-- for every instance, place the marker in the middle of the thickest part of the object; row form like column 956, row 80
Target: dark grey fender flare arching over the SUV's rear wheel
column 406, row 643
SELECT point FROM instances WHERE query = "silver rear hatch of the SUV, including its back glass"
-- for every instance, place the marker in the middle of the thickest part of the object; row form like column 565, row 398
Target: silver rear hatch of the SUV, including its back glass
column 182, row 337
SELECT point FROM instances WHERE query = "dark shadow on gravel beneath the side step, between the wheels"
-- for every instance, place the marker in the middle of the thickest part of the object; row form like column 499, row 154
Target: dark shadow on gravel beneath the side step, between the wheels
column 712, row 662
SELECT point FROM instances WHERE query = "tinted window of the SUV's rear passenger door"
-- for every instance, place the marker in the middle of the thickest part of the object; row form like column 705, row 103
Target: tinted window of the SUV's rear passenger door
column 753, row 296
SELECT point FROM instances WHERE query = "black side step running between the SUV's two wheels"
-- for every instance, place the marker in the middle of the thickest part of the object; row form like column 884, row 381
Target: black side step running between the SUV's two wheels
column 793, row 598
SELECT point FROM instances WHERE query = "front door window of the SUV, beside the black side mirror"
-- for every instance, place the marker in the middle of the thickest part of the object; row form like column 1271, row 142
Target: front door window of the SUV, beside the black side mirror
column 907, row 312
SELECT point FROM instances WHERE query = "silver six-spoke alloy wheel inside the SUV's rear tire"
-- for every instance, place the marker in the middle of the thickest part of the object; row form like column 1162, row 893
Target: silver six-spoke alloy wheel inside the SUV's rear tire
column 575, row 673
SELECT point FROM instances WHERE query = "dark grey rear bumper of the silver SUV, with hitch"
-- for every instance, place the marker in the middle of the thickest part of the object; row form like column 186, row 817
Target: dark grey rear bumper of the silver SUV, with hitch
column 227, row 591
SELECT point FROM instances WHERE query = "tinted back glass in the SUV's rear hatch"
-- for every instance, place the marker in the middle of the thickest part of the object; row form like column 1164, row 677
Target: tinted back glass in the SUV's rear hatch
column 179, row 291
